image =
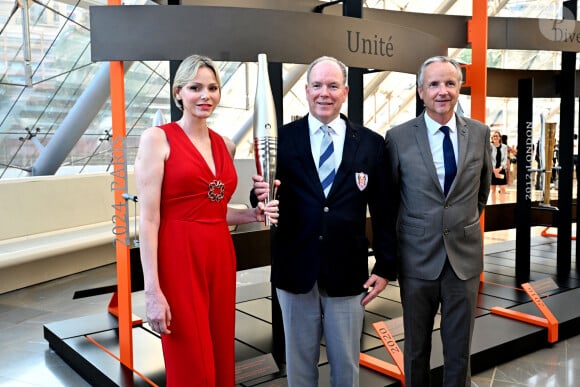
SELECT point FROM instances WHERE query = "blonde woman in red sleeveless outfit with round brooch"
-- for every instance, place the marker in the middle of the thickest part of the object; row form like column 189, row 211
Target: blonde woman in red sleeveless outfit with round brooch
column 185, row 177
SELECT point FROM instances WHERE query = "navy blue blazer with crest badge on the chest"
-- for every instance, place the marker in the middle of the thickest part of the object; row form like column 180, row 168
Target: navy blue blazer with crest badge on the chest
column 324, row 239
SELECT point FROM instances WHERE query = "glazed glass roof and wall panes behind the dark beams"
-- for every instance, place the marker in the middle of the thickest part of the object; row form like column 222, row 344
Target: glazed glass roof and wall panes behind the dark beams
column 42, row 79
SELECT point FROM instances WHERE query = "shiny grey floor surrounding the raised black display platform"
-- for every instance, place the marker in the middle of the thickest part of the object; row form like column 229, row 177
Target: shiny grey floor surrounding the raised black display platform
column 26, row 360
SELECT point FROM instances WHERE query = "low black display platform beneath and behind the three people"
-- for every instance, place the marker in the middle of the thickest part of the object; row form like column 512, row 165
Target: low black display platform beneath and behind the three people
column 496, row 339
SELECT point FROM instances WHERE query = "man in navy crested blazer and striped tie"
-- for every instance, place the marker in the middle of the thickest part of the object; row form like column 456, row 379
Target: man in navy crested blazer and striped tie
column 319, row 248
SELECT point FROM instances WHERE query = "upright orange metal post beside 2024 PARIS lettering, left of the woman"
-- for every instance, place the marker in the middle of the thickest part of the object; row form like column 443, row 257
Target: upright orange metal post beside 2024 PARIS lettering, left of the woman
column 121, row 227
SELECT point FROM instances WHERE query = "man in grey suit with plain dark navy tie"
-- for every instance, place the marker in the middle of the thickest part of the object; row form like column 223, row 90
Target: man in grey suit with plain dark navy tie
column 439, row 235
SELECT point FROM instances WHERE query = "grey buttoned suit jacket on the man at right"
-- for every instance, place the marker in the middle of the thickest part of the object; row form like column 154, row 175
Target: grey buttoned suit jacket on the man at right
column 429, row 225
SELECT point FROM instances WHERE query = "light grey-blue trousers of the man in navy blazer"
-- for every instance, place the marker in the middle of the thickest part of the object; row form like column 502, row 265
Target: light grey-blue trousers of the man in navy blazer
column 306, row 318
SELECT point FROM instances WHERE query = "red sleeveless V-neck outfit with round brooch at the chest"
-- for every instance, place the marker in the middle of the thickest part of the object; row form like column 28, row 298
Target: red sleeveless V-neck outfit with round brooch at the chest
column 197, row 263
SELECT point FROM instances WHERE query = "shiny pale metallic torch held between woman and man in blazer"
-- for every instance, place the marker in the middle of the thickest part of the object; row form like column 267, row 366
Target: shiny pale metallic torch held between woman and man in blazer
column 265, row 128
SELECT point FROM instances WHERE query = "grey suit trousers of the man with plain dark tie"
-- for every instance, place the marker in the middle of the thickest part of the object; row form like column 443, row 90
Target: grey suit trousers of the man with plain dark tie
column 421, row 300
